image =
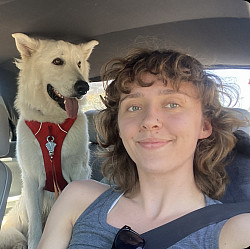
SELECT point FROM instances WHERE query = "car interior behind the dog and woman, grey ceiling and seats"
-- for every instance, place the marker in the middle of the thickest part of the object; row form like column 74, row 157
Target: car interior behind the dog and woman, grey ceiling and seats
column 215, row 32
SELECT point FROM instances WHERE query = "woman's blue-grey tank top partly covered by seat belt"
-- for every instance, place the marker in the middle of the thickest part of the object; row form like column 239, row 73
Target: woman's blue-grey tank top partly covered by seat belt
column 91, row 230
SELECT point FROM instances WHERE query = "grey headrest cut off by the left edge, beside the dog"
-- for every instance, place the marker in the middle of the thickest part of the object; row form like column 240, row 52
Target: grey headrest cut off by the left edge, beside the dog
column 4, row 129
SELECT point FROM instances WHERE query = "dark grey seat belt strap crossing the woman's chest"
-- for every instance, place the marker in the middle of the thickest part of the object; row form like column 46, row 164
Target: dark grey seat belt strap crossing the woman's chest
column 174, row 231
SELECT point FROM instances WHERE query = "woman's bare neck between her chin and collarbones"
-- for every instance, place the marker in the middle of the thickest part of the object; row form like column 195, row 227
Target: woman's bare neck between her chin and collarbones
column 158, row 195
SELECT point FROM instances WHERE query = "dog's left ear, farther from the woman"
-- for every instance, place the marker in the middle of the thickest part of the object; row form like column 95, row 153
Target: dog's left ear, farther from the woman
column 25, row 45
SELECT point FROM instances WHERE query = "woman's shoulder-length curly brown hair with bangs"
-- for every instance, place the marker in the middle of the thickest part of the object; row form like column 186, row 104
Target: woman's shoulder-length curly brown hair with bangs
column 174, row 68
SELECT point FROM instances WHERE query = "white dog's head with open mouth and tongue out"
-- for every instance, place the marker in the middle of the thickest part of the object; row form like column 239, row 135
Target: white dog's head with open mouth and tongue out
column 53, row 75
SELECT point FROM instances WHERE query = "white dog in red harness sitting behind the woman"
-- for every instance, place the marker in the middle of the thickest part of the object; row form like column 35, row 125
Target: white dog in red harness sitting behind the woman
column 51, row 83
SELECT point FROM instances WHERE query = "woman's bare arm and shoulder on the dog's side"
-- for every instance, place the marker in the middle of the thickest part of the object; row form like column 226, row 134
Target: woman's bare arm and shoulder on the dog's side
column 76, row 197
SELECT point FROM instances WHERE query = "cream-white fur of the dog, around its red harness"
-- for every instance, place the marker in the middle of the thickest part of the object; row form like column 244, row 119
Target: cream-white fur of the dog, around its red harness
column 24, row 223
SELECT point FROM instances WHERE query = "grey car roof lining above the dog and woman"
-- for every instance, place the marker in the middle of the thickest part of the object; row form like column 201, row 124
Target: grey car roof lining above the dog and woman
column 216, row 32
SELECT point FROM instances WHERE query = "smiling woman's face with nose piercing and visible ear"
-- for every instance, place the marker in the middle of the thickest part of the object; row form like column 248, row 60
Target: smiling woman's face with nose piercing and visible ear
column 160, row 127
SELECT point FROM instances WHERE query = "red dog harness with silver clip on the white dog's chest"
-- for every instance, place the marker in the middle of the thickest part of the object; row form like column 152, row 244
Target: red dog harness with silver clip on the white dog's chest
column 50, row 137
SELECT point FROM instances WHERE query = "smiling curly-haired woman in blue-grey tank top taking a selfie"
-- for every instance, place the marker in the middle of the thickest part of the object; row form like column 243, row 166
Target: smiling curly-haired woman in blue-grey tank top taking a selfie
column 167, row 137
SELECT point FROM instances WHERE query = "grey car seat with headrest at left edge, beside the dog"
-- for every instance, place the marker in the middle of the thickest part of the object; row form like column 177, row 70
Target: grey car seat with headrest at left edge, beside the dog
column 5, row 173
